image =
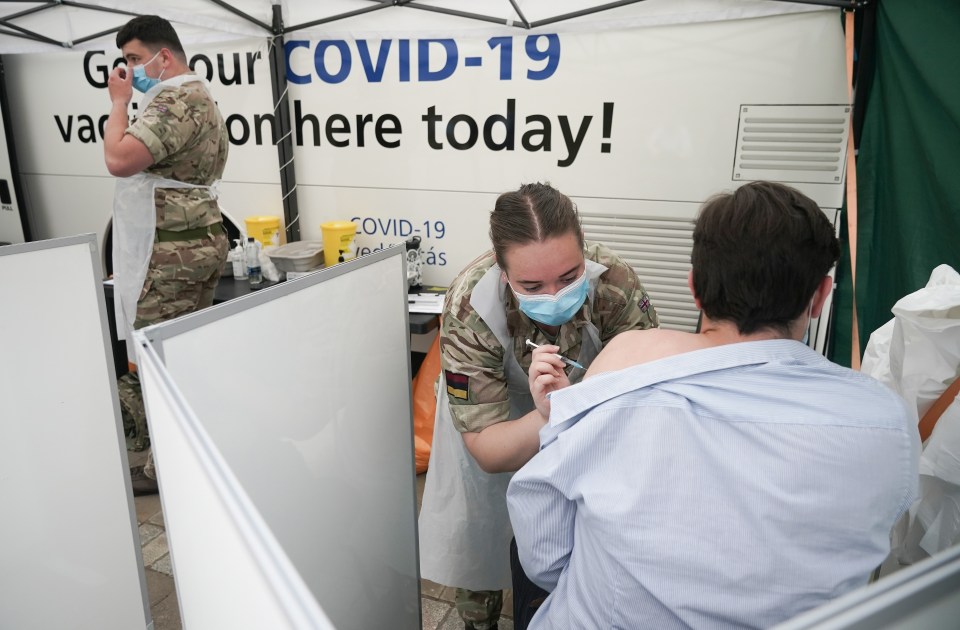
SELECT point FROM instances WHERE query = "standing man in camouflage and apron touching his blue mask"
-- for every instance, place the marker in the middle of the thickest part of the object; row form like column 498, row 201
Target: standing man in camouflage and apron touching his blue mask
column 169, row 243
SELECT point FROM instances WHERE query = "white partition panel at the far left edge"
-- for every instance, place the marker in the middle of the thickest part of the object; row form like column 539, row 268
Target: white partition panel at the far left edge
column 69, row 549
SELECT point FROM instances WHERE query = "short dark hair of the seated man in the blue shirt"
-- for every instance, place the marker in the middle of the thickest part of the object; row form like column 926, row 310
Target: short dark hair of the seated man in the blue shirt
column 759, row 254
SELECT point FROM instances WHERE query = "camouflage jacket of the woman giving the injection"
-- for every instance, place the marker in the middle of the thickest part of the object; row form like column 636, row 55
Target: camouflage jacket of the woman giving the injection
column 472, row 358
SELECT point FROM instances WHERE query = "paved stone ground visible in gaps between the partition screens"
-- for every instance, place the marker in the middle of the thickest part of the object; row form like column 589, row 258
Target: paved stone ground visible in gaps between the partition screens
column 436, row 600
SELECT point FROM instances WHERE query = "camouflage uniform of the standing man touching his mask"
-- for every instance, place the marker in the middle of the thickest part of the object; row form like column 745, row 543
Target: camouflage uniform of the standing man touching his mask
column 186, row 135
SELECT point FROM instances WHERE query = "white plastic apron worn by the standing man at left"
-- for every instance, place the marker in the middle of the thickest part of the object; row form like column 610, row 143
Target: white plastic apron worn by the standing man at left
column 134, row 228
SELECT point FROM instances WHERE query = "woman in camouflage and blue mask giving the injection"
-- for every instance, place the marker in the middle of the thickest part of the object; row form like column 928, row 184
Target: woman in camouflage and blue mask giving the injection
column 541, row 282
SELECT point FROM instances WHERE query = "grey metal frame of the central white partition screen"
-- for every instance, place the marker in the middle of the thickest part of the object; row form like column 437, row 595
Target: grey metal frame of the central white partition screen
column 166, row 332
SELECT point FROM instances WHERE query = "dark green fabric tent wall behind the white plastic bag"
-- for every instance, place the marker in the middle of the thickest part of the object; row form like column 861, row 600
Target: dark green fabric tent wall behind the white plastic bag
column 908, row 166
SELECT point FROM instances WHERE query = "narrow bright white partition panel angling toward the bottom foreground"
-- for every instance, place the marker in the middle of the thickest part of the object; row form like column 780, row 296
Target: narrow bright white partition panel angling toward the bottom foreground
column 231, row 573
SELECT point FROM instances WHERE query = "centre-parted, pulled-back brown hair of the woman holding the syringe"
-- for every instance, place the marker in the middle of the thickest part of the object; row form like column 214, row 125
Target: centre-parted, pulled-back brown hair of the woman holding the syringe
column 533, row 213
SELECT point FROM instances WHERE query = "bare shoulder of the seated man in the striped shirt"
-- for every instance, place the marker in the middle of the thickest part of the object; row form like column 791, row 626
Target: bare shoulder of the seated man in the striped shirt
column 634, row 347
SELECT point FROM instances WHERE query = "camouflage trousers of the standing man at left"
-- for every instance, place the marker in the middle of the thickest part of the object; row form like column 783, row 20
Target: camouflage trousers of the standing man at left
column 181, row 279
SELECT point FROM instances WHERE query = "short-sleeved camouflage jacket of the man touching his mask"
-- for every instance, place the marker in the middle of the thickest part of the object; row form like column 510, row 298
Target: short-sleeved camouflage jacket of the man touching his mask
column 186, row 135
